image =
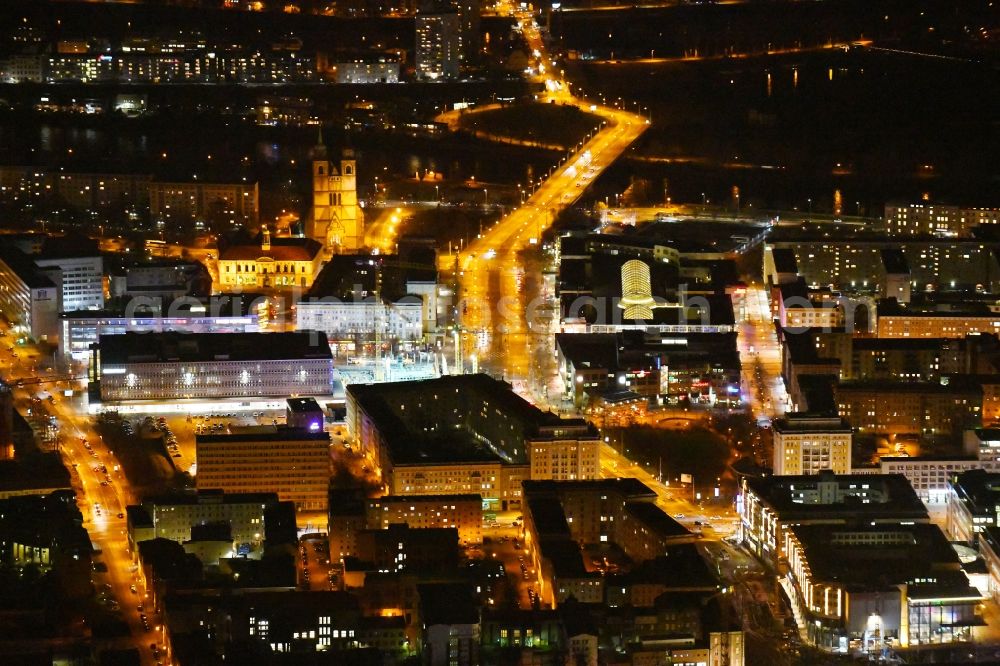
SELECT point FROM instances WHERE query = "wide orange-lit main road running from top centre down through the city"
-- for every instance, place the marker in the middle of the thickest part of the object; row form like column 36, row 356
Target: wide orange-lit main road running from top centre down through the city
column 503, row 305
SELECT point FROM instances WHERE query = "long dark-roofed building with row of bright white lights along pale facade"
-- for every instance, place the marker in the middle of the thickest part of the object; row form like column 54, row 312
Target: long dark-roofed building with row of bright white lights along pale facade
column 171, row 366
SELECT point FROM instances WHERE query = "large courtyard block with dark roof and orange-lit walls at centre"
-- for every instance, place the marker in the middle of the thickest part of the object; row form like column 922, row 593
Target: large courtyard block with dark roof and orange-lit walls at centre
column 465, row 434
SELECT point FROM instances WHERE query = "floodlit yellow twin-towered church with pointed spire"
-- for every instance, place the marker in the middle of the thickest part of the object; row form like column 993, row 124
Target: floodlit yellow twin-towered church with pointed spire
column 336, row 220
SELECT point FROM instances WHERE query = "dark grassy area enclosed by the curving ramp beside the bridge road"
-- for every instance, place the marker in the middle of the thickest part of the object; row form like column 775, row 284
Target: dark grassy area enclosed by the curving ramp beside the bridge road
column 536, row 122
